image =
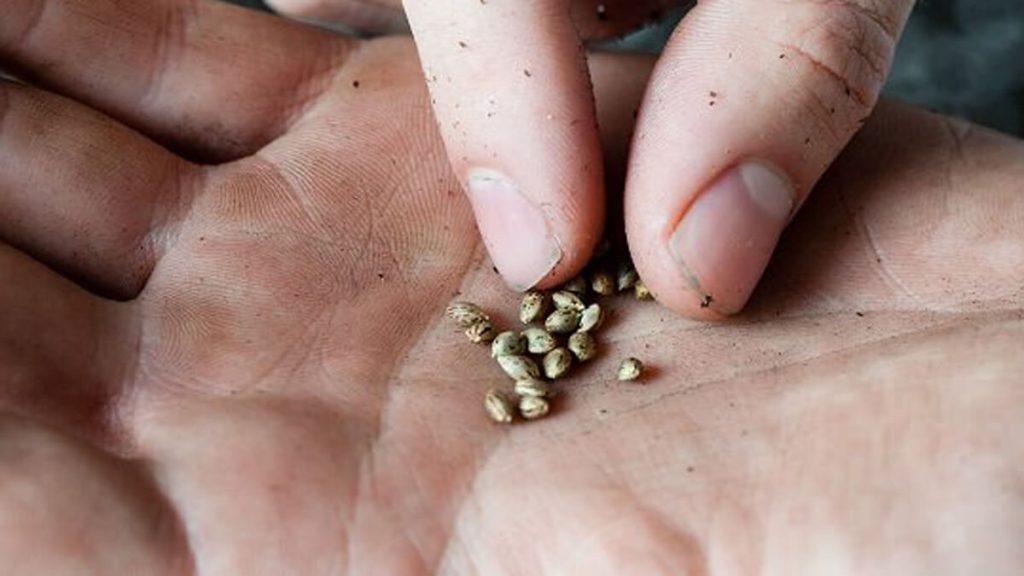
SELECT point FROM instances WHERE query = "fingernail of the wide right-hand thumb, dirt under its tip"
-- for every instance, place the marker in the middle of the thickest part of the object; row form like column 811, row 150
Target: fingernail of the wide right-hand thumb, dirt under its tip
column 726, row 240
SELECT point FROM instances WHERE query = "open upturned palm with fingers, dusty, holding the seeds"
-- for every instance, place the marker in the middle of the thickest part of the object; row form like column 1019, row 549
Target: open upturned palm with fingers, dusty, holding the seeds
column 241, row 366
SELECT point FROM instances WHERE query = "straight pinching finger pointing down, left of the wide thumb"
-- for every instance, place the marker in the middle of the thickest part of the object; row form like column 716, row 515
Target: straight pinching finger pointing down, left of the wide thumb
column 515, row 104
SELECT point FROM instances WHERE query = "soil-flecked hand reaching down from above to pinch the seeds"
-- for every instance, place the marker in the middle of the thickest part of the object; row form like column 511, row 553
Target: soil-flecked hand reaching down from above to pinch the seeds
column 749, row 106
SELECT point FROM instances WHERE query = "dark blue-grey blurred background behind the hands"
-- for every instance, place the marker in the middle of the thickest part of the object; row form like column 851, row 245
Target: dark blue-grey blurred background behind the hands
column 964, row 58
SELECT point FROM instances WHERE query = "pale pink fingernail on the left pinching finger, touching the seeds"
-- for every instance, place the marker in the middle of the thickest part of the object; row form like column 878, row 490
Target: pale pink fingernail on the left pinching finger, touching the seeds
column 515, row 230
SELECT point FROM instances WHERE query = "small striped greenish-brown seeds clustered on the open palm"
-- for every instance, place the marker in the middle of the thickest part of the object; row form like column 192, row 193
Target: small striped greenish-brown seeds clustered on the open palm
column 560, row 334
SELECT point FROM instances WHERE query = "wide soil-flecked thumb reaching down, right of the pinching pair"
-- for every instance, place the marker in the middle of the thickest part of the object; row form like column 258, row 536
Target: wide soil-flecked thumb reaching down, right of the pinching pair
column 750, row 104
